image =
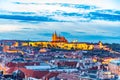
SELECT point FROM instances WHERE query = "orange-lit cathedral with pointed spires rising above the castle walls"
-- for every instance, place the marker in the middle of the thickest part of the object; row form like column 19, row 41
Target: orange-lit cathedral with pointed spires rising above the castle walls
column 56, row 38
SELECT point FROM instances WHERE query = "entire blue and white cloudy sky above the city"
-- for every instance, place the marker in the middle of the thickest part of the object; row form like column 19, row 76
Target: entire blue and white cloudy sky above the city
column 82, row 20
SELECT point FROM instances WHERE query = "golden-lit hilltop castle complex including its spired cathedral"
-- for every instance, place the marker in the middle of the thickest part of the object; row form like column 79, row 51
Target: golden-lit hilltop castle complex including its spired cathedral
column 62, row 43
